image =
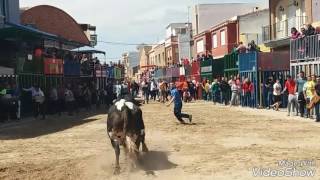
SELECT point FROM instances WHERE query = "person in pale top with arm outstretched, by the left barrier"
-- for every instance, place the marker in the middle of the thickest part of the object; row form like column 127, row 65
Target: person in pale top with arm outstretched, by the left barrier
column 38, row 99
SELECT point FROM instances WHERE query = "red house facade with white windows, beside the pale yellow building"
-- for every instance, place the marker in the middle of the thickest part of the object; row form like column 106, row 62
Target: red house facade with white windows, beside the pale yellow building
column 224, row 37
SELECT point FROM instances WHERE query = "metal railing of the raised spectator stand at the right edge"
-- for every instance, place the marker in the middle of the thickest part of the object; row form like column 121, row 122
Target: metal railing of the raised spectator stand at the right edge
column 305, row 48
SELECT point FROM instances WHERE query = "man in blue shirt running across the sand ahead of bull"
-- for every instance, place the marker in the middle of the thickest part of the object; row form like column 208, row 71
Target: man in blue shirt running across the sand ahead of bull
column 176, row 98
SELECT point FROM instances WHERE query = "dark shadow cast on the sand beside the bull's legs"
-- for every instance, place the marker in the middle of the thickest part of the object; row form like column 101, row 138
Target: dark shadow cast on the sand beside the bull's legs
column 155, row 161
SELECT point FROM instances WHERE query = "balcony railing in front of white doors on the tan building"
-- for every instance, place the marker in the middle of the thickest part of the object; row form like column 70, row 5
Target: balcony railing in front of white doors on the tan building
column 282, row 29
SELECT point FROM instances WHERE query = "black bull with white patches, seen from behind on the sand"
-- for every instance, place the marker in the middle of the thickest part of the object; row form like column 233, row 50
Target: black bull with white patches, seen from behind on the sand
column 125, row 127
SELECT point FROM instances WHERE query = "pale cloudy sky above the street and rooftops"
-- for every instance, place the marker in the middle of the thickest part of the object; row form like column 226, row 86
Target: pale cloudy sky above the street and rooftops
column 130, row 21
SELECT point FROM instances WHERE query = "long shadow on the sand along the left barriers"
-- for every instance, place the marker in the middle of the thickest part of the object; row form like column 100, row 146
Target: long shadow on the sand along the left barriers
column 52, row 124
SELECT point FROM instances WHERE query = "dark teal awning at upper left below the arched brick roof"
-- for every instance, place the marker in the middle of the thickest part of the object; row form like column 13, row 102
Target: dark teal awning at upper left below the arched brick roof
column 13, row 31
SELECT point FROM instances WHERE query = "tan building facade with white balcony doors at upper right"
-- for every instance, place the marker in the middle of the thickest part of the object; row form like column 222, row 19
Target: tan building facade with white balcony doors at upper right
column 284, row 15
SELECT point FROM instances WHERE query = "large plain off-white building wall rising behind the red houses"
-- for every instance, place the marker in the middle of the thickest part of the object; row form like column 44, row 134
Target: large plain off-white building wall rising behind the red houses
column 205, row 16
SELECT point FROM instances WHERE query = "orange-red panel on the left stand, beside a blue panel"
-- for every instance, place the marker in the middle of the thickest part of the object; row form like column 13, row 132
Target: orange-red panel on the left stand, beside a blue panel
column 53, row 66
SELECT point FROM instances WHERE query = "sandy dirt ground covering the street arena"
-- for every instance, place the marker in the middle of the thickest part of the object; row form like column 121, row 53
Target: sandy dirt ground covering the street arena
column 223, row 143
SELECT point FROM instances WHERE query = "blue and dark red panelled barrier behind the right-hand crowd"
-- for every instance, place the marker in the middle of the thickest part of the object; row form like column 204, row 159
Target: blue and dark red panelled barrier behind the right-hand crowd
column 258, row 67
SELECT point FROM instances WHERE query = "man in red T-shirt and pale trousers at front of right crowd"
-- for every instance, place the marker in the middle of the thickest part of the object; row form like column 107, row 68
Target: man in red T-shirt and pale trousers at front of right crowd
column 290, row 86
